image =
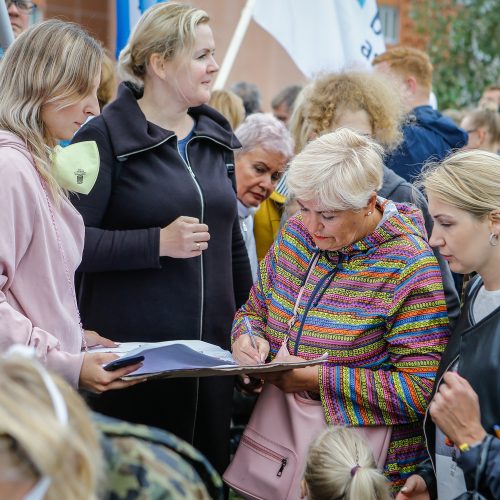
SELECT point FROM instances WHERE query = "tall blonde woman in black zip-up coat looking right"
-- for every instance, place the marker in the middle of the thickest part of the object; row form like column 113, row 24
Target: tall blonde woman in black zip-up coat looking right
column 164, row 258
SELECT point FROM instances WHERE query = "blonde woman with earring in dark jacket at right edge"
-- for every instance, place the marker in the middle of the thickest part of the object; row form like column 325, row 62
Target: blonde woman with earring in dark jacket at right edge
column 464, row 201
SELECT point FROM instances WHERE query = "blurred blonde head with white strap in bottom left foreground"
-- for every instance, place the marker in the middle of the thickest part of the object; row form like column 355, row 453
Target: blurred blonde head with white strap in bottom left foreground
column 34, row 443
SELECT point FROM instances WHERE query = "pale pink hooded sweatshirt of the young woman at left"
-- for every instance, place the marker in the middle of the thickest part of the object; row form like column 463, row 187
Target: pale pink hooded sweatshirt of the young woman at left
column 40, row 249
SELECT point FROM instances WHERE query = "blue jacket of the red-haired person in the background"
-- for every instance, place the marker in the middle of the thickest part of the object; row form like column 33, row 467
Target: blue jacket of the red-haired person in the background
column 428, row 136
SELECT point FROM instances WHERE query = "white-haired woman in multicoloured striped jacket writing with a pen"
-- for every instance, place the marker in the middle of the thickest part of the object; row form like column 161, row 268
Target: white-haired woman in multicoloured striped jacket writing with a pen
column 351, row 275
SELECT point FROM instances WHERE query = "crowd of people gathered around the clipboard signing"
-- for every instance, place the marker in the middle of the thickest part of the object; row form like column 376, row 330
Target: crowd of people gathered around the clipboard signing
column 354, row 222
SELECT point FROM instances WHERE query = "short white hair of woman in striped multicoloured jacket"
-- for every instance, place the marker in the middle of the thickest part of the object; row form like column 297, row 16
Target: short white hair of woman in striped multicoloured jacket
column 340, row 170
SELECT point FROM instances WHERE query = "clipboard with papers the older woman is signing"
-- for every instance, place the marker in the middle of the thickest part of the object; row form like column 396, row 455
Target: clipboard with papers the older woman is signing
column 195, row 359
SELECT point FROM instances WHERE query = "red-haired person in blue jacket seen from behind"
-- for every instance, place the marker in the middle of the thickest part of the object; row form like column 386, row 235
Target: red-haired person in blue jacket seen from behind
column 428, row 135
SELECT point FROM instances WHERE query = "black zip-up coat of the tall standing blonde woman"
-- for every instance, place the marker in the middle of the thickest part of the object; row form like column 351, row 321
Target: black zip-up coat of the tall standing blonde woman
column 129, row 293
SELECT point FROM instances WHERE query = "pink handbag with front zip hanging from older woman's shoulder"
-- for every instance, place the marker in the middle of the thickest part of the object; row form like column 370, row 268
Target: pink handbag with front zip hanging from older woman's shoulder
column 270, row 460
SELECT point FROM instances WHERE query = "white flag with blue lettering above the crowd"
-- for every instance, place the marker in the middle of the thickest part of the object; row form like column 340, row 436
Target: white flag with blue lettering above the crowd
column 323, row 36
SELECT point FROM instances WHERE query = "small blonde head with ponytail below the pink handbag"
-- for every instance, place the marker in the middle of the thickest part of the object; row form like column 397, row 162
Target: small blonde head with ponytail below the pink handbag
column 341, row 466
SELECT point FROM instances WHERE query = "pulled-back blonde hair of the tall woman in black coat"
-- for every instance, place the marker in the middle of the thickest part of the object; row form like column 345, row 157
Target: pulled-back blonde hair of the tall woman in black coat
column 168, row 29
